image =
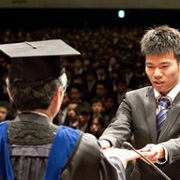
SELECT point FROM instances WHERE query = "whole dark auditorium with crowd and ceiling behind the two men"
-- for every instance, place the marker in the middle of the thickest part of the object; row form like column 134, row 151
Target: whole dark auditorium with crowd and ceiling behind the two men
column 108, row 39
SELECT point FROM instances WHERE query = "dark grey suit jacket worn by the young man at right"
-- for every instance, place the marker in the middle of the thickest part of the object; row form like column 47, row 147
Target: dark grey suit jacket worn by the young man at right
column 137, row 115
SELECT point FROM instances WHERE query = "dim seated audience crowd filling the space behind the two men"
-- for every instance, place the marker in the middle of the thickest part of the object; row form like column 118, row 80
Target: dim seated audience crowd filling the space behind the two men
column 110, row 64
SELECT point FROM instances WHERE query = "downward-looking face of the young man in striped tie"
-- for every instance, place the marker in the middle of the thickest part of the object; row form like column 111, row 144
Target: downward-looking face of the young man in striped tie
column 162, row 71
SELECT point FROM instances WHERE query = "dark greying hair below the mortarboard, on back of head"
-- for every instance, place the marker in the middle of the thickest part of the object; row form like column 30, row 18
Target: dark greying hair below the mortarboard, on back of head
column 36, row 96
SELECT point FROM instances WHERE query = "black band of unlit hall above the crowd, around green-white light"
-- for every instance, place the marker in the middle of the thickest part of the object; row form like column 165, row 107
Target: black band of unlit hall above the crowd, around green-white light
column 36, row 18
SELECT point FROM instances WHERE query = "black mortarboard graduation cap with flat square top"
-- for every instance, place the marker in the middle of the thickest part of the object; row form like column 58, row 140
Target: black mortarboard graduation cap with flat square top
column 37, row 61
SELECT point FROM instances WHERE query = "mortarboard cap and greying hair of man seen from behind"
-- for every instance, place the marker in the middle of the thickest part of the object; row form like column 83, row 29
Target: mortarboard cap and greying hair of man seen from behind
column 36, row 73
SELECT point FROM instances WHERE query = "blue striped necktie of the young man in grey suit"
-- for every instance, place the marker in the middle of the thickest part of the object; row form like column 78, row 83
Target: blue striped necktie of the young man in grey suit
column 164, row 103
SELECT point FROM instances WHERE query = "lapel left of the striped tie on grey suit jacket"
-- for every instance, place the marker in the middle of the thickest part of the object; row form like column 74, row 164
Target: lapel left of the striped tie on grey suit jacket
column 150, row 110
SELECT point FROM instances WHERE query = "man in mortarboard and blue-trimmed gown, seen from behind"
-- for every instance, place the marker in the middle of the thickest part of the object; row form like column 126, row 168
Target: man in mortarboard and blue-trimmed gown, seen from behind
column 31, row 146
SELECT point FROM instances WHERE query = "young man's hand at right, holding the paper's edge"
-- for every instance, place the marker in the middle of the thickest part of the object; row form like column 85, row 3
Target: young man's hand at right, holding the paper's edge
column 153, row 152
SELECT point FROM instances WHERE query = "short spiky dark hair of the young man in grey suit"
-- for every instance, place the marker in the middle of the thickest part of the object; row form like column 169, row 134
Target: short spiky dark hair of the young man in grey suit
column 161, row 40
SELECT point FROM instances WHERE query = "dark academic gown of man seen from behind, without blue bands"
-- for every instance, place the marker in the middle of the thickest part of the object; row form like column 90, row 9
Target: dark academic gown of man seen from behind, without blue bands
column 30, row 137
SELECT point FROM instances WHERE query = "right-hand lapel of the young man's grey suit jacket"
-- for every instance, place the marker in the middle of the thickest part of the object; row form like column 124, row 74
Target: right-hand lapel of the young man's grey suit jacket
column 171, row 119
